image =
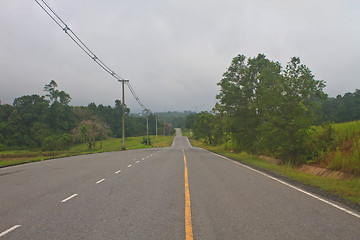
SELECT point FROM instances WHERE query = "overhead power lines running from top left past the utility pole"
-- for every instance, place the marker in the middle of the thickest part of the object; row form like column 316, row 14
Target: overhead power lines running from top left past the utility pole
column 55, row 17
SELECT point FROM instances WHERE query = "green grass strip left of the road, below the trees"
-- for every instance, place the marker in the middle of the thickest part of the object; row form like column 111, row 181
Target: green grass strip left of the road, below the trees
column 15, row 157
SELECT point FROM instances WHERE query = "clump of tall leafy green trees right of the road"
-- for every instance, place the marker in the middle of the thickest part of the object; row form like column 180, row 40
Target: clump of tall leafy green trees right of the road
column 269, row 110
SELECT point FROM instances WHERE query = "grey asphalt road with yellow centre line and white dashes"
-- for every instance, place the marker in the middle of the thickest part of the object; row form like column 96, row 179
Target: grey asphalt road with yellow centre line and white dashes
column 141, row 194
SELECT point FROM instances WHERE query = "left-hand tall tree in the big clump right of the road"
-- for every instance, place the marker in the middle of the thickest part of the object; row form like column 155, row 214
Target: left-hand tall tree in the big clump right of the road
column 239, row 98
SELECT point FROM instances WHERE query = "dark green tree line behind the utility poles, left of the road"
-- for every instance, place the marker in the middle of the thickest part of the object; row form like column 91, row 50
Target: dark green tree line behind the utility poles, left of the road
column 50, row 123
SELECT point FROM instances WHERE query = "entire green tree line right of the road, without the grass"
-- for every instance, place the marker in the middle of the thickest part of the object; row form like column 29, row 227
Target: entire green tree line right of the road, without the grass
column 264, row 108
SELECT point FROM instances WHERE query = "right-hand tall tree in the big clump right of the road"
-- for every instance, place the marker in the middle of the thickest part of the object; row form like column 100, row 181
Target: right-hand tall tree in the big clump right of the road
column 298, row 110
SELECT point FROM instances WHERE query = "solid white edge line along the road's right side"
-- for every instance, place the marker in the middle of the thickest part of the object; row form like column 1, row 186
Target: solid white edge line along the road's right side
column 293, row 187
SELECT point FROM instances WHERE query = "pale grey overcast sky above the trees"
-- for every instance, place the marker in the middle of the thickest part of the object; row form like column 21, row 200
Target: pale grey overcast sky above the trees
column 174, row 52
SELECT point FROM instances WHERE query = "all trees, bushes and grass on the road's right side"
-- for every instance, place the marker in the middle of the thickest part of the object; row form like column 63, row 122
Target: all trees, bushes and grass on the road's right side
column 264, row 109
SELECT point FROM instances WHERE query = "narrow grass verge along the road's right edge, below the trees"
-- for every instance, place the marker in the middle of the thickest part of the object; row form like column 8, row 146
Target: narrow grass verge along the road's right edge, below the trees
column 347, row 189
